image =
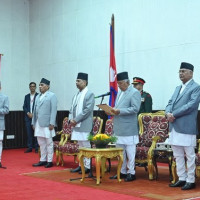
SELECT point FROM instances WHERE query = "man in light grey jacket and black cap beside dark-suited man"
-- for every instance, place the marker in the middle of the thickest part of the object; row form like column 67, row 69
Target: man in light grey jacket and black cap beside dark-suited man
column 44, row 121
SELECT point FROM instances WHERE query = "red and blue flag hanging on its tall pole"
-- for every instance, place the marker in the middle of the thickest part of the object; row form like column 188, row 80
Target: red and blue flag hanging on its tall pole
column 112, row 68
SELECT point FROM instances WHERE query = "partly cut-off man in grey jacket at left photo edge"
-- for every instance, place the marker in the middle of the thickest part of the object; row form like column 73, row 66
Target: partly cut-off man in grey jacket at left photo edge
column 4, row 109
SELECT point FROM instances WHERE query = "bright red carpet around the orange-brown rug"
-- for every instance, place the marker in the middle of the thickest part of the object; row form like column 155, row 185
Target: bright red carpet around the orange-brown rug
column 15, row 186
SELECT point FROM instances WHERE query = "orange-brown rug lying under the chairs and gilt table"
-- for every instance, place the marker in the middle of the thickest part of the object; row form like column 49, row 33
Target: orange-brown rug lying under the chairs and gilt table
column 141, row 187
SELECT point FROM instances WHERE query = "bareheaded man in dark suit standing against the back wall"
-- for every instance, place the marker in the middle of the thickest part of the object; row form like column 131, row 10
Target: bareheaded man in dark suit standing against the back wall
column 29, row 103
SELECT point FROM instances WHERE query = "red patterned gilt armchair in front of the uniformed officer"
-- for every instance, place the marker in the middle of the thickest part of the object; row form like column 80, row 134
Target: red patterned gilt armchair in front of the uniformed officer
column 153, row 129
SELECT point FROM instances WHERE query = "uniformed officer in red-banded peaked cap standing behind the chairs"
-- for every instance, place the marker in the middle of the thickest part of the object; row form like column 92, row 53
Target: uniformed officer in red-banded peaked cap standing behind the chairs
column 146, row 100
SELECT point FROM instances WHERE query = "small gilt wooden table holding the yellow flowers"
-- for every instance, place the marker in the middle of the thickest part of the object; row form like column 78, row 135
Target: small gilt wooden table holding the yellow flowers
column 100, row 156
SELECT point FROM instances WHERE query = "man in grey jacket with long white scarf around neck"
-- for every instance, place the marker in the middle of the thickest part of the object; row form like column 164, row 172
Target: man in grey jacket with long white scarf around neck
column 81, row 116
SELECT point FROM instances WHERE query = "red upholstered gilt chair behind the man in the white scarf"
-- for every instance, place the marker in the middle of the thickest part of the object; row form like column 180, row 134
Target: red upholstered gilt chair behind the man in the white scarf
column 71, row 148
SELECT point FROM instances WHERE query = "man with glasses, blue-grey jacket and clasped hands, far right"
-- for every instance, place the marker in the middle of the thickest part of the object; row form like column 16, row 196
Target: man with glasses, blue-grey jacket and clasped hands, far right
column 181, row 112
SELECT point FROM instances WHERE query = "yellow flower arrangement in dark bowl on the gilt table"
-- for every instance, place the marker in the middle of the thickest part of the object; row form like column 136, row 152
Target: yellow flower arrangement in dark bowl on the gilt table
column 101, row 140
